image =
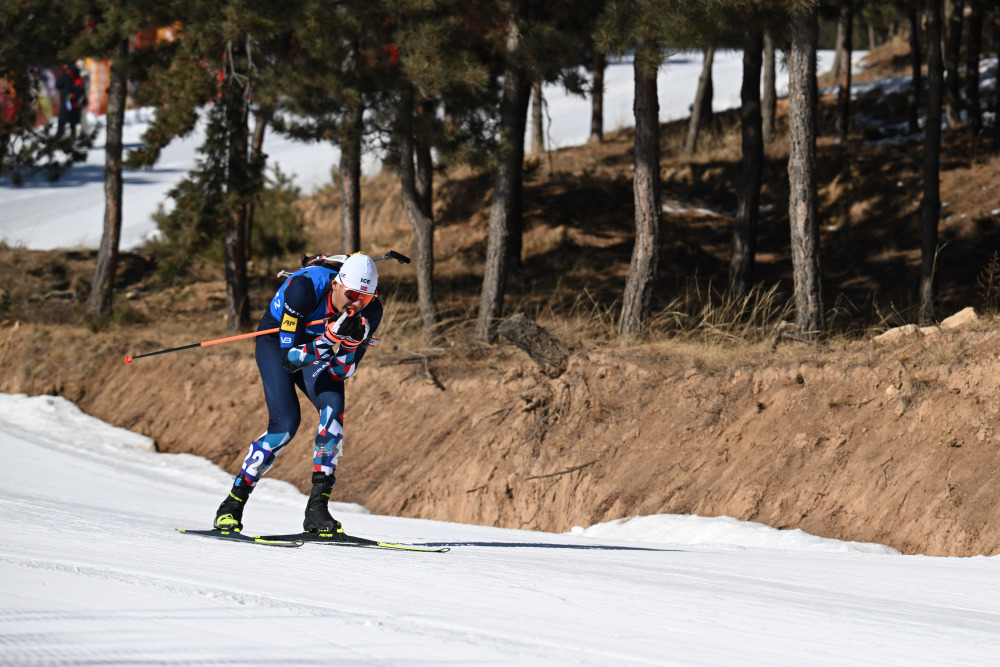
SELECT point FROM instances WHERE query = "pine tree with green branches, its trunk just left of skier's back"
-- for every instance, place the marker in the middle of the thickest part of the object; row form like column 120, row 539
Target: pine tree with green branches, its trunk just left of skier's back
column 220, row 62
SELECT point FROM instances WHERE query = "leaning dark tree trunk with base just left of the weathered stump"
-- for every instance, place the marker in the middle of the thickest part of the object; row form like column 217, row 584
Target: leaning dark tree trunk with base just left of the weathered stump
column 505, row 212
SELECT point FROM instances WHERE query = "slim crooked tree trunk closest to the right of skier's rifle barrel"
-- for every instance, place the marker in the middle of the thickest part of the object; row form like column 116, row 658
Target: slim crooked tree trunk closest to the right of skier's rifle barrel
column 423, row 224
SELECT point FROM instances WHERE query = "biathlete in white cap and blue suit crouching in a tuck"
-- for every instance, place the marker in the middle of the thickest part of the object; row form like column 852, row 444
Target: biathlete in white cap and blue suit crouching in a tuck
column 316, row 359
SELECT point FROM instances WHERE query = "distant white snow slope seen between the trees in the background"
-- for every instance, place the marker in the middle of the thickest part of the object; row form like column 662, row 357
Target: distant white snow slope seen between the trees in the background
column 70, row 213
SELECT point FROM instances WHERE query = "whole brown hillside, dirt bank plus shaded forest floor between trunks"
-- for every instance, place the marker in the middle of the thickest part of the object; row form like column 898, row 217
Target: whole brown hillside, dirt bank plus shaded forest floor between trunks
column 717, row 414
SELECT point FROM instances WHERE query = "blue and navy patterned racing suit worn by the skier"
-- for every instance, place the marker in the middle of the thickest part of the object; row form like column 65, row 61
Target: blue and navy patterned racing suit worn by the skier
column 290, row 358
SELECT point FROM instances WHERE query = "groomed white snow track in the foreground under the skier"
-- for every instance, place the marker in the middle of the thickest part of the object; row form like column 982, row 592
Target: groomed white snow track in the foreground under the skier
column 92, row 572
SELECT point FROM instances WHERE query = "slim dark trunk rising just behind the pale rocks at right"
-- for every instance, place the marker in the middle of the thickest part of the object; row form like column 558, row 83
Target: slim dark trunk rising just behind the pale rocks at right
column 931, row 206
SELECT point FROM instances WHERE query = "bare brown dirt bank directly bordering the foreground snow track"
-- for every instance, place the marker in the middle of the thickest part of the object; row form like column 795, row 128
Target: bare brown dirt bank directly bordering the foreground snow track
column 894, row 444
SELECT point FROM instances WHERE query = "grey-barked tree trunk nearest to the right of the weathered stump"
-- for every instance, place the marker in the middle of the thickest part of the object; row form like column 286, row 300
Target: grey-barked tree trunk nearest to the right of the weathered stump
column 646, row 192
